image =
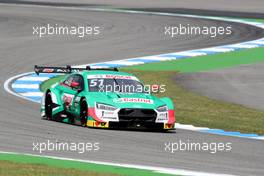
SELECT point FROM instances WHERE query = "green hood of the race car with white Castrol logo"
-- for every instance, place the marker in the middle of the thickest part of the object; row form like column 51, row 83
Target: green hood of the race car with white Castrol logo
column 127, row 100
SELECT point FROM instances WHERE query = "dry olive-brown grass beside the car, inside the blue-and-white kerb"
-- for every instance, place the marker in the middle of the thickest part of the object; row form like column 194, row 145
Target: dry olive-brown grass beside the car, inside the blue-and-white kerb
column 198, row 110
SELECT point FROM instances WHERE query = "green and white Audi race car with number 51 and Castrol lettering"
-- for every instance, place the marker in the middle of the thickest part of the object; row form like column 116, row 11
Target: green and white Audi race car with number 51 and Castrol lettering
column 104, row 98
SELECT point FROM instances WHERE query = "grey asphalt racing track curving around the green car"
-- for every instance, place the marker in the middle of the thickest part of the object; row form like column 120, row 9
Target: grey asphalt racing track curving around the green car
column 123, row 36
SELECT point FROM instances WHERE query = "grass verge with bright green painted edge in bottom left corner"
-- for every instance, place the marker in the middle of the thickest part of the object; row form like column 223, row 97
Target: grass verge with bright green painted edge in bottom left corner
column 19, row 164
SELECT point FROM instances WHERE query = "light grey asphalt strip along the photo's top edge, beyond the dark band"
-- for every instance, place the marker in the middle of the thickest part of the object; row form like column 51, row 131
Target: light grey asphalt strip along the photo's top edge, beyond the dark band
column 253, row 6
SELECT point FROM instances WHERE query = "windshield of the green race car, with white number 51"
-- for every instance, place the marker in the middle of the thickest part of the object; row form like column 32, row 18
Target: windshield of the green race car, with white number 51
column 115, row 85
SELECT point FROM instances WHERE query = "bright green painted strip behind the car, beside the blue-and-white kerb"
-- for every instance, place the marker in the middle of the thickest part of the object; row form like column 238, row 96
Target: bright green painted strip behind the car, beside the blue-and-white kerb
column 209, row 62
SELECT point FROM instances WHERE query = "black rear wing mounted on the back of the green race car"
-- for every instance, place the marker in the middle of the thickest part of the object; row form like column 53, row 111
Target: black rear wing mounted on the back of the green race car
column 66, row 70
